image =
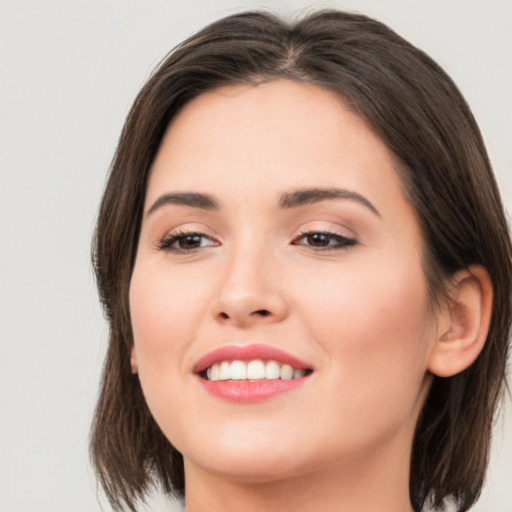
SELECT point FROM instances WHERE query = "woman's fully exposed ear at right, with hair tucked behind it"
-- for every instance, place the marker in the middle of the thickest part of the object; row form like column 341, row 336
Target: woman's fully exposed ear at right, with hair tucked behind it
column 463, row 323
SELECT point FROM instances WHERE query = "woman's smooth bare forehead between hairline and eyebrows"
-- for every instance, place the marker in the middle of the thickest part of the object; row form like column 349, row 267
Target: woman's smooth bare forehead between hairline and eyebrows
column 274, row 135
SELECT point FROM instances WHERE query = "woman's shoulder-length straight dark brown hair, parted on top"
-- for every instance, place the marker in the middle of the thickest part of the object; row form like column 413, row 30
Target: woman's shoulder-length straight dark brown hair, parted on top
column 422, row 117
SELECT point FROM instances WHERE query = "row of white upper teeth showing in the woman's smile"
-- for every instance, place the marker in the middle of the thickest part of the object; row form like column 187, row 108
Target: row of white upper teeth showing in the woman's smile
column 253, row 370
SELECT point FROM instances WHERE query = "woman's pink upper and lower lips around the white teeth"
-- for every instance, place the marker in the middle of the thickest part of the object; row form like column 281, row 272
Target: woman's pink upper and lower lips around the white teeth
column 247, row 391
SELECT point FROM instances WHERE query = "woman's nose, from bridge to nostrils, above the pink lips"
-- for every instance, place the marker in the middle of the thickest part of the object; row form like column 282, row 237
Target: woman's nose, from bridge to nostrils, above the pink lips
column 250, row 291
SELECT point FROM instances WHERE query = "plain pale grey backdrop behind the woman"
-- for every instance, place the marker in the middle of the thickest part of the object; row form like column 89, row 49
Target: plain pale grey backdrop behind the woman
column 69, row 72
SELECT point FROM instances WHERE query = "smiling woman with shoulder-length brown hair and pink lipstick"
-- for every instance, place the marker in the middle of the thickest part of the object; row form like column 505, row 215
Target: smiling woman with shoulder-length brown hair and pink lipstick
column 305, row 264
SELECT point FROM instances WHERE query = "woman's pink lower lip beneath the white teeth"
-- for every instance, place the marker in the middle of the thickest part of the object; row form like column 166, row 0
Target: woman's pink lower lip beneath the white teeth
column 250, row 391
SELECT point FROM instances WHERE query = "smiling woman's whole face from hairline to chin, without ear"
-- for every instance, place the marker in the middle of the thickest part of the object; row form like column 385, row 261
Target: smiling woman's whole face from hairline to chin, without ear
column 276, row 234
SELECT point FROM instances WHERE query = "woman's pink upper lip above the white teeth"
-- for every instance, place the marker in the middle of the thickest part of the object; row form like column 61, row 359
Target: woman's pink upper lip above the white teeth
column 248, row 353
